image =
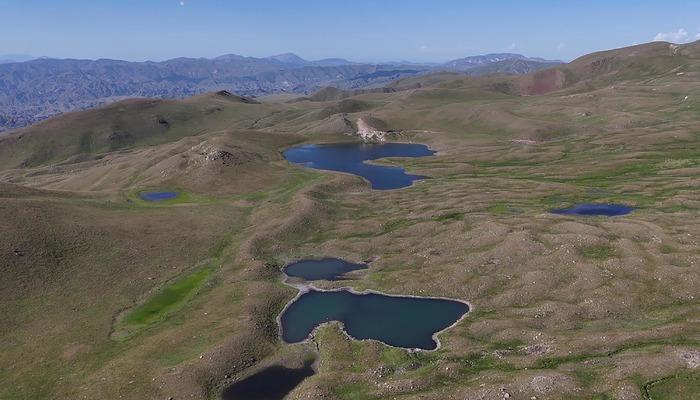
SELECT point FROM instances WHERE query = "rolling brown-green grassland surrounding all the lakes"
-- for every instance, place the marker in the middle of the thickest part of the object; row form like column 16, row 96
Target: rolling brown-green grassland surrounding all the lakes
column 109, row 295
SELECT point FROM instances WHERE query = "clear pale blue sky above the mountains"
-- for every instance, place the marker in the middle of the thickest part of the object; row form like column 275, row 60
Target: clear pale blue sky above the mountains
column 362, row 30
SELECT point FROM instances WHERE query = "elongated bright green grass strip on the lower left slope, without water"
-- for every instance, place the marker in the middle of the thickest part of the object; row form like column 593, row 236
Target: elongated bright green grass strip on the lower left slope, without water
column 166, row 300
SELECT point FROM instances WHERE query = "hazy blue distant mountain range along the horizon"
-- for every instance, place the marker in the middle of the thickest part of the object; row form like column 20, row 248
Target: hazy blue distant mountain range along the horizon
column 37, row 89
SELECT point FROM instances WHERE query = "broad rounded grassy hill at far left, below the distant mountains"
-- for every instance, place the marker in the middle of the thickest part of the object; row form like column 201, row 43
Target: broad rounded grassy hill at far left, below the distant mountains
column 123, row 125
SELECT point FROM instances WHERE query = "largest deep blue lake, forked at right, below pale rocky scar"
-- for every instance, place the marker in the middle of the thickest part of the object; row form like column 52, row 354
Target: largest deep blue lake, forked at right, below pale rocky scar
column 351, row 157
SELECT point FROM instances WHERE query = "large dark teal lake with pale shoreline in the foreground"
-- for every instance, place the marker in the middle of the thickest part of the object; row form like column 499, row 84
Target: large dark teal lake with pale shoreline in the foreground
column 409, row 322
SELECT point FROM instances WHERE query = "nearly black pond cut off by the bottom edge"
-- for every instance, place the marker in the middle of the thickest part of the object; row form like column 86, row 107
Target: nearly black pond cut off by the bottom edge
column 272, row 383
